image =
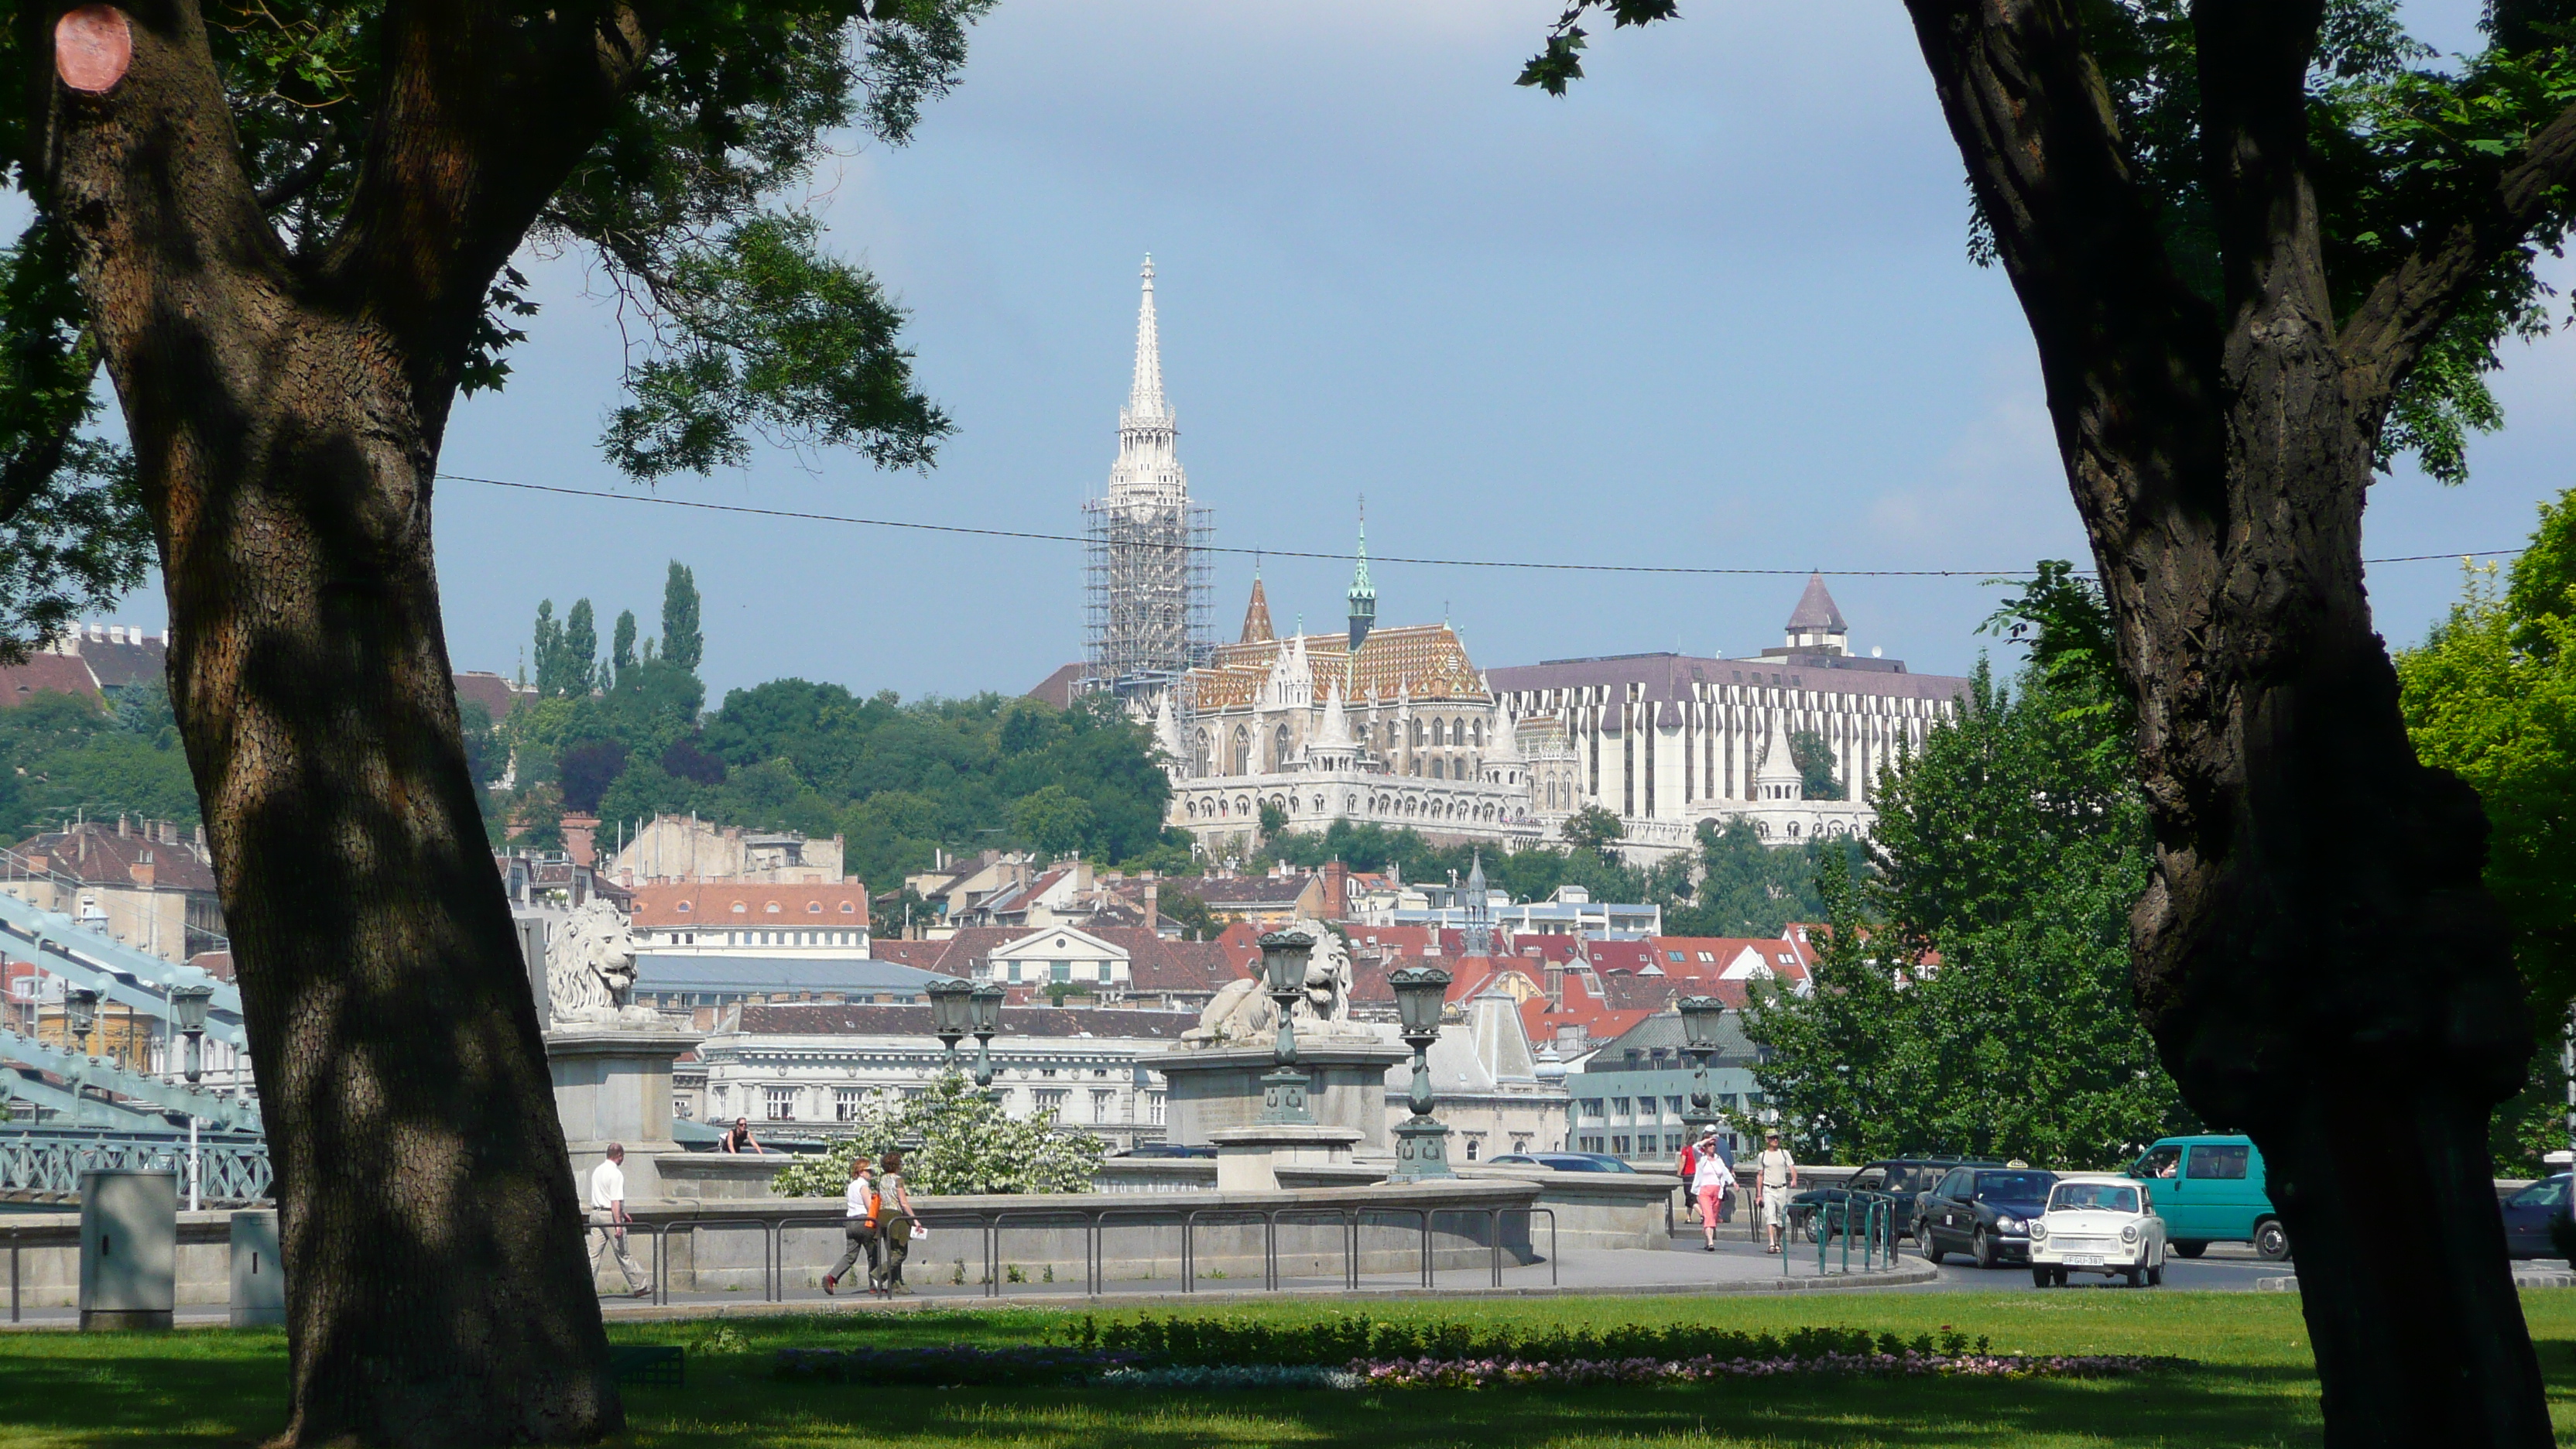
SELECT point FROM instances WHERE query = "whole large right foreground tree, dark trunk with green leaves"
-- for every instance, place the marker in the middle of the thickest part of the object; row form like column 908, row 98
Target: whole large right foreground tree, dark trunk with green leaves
column 2263, row 246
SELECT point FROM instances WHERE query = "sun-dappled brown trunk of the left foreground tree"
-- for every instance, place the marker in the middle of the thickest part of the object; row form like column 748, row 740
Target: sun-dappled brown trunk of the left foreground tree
column 287, row 422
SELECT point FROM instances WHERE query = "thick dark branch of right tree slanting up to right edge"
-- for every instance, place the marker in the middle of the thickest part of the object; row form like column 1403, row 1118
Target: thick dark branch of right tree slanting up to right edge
column 2392, row 329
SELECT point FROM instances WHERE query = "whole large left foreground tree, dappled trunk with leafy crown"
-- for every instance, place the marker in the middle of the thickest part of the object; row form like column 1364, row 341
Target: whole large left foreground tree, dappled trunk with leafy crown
column 285, row 233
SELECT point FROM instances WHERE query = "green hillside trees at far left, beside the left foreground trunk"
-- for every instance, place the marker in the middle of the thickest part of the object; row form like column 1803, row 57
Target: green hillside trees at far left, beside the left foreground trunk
column 66, row 757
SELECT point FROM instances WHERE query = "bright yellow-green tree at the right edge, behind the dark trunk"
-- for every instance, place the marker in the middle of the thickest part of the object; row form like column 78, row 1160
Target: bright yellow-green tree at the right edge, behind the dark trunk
column 2492, row 697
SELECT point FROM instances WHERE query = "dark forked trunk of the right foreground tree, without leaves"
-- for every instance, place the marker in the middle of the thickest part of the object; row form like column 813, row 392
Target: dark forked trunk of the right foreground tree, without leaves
column 2315, row 955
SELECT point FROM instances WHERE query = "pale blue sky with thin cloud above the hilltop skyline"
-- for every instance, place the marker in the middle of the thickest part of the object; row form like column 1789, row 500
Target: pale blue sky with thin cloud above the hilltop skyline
column 1709, row 311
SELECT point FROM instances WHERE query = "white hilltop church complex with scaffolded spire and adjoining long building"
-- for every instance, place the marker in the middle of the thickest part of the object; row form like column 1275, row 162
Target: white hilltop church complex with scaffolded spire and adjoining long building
column 1397, row 726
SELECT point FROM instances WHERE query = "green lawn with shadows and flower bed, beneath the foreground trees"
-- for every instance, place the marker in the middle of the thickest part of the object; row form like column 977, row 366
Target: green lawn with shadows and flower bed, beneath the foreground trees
column 2253, row 1386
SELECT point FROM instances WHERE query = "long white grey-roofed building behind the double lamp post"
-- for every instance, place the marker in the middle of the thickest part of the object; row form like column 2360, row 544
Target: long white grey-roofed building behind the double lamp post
column 815, row 1069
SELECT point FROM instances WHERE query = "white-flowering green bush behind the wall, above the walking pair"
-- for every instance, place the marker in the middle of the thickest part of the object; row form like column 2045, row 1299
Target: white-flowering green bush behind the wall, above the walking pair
column 965, row 1146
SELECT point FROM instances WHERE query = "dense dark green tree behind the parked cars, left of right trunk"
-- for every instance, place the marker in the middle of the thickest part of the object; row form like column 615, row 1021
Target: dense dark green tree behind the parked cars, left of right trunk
column 2008, row 852
